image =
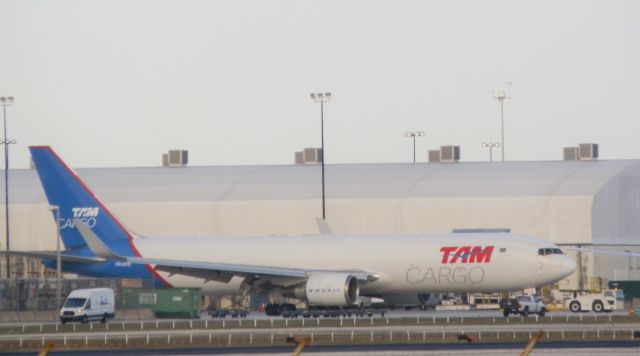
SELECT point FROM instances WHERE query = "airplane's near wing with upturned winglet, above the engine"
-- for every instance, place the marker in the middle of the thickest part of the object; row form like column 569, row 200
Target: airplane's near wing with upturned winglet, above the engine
column 223, row 272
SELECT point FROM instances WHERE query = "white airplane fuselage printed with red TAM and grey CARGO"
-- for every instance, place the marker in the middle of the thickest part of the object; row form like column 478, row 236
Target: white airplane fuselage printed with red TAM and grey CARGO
column 403, row 263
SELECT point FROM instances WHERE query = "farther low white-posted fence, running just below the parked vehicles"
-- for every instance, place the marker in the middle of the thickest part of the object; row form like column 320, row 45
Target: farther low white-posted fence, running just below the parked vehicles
column 501, row 325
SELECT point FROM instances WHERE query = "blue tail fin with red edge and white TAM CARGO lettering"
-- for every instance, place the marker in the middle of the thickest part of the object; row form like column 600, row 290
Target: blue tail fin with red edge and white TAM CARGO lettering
column 76, row 201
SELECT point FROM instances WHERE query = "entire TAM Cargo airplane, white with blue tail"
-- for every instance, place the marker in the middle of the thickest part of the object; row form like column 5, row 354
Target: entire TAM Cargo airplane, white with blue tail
column 326, row 270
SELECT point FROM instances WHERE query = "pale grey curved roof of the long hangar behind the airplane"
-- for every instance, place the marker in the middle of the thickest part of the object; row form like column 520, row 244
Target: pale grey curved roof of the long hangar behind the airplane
column 343, row 181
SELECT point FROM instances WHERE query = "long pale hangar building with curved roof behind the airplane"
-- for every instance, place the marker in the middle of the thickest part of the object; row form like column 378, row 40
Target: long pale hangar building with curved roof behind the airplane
column 572, row 203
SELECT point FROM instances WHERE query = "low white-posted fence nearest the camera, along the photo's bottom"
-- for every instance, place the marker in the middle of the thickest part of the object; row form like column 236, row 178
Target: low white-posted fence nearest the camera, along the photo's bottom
column 157, row 340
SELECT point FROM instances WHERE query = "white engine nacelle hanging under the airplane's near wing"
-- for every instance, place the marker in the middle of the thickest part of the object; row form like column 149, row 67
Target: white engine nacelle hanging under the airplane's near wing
column 329, row 289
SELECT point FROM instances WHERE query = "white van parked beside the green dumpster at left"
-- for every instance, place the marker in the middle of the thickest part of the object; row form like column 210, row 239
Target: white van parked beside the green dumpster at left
column 88, row 304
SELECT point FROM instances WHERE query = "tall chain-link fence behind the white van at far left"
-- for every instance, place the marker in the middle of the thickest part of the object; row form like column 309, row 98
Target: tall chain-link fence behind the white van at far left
column 39, row 294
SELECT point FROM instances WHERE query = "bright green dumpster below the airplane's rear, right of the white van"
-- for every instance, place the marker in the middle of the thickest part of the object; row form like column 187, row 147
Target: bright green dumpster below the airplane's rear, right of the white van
column 178, row 303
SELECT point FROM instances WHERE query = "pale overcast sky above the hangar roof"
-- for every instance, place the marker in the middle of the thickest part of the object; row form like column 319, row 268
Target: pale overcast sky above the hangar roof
column 117, row 83
